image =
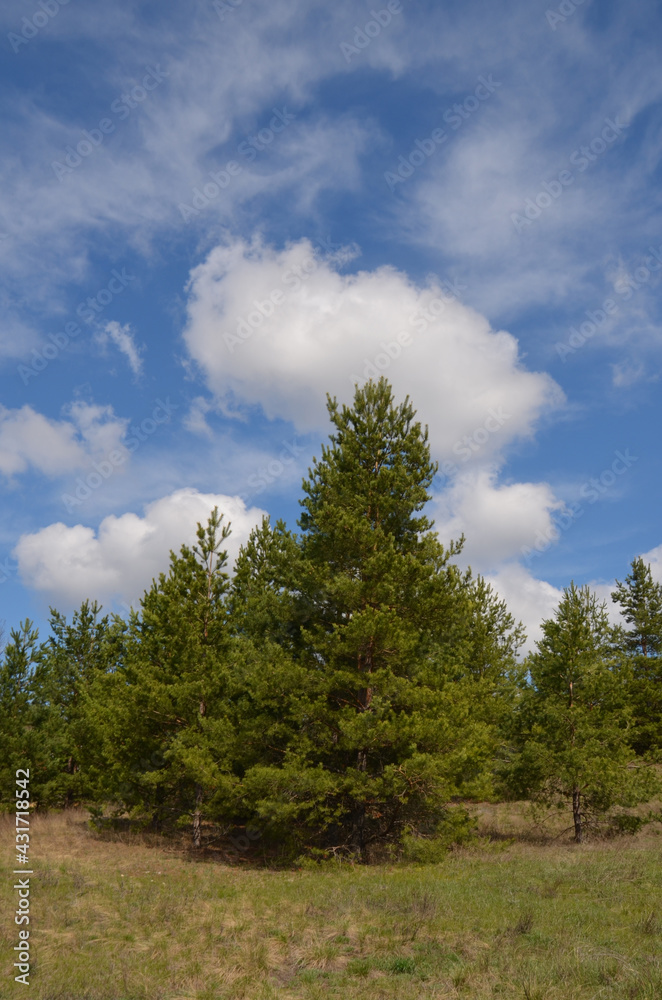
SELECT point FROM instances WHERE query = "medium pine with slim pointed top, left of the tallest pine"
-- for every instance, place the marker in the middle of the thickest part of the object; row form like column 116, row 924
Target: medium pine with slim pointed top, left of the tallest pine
column 161, row 717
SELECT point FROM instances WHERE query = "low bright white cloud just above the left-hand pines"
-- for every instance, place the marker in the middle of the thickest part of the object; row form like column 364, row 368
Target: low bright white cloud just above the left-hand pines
column 119, row 560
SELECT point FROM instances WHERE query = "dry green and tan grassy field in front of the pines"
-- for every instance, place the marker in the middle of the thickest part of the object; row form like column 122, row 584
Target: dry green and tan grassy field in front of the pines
column 126, row 919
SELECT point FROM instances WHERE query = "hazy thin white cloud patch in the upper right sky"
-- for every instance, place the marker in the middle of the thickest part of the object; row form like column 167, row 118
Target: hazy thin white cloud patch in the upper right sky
column 459, row 203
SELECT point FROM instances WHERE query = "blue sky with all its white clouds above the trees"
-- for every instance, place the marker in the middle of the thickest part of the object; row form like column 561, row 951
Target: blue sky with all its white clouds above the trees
column 214, row 213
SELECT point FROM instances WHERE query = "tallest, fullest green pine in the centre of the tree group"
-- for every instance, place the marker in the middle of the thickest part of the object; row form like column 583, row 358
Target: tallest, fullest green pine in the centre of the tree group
column 379, row 737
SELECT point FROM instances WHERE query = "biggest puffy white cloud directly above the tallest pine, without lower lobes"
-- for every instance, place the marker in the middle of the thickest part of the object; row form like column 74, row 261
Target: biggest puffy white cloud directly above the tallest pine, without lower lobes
column 281, row 328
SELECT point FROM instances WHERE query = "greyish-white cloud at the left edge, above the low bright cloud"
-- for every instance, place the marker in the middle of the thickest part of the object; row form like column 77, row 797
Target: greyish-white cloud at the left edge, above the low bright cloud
column 29, row 440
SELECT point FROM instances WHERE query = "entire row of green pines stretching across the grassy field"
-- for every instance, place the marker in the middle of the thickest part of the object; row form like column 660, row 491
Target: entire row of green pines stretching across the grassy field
column 345, row 685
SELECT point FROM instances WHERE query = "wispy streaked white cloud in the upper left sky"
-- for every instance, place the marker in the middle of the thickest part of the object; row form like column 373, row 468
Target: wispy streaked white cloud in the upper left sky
column 220, row 81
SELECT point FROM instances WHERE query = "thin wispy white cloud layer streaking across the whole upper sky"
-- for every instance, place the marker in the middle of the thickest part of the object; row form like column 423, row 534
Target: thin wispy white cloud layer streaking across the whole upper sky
column 220, row 85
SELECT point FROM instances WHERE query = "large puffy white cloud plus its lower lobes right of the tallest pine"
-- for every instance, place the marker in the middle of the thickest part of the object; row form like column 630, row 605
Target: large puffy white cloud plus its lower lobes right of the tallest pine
column 280, row 328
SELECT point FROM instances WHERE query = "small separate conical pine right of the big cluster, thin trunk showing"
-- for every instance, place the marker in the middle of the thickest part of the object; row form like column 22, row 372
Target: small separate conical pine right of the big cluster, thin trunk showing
column 573, row 723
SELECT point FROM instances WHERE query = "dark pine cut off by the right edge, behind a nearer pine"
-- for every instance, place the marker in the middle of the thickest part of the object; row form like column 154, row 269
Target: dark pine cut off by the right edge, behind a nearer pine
column 640, row 647
